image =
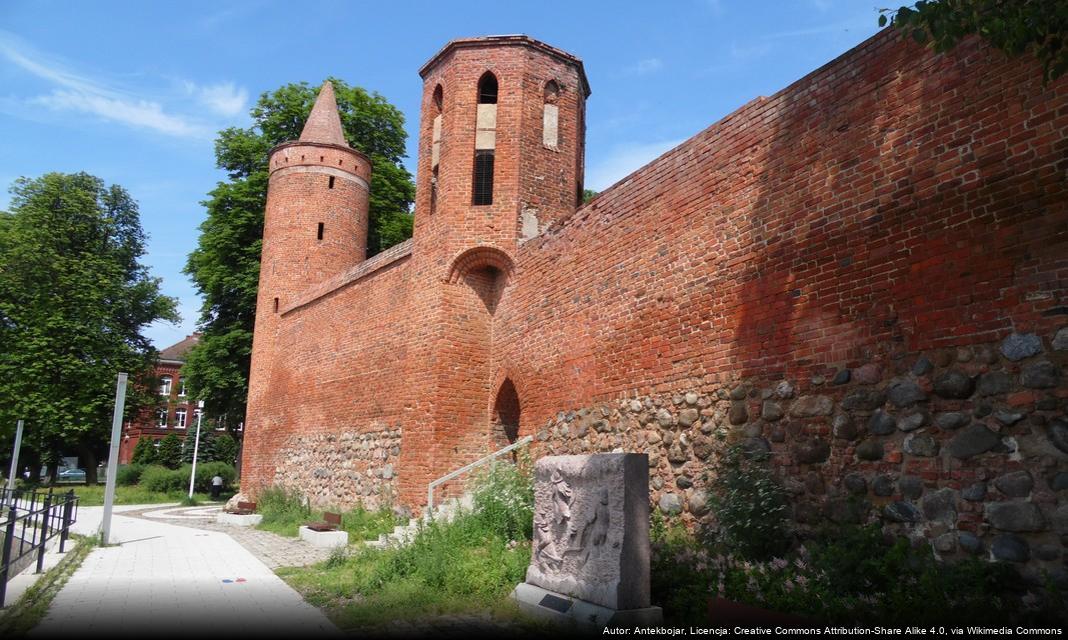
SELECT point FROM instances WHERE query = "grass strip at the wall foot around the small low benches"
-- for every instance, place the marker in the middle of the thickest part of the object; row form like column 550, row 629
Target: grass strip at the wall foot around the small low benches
column 285, row 513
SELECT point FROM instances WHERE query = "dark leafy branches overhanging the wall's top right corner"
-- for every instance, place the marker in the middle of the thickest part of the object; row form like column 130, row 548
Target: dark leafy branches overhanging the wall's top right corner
column 1013, row 26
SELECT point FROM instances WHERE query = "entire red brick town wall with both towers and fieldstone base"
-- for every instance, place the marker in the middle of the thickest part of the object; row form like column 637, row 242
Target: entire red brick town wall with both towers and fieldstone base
column 865, row 274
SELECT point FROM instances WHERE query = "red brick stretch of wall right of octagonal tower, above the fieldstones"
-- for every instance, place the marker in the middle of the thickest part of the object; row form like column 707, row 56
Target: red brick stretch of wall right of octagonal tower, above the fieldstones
column 890, row 202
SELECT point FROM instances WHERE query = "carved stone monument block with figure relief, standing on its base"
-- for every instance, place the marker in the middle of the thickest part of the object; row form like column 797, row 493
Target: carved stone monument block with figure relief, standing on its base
column 590, row 560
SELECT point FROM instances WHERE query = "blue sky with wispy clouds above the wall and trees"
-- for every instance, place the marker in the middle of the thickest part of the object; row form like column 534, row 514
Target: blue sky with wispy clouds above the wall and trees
column 134, row 92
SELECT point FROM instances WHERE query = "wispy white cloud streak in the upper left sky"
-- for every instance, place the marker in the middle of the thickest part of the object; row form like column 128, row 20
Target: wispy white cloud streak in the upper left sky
column 82, row 93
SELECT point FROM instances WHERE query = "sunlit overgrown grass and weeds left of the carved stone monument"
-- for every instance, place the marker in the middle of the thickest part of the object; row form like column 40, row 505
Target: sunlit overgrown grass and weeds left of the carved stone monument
column 468, row 565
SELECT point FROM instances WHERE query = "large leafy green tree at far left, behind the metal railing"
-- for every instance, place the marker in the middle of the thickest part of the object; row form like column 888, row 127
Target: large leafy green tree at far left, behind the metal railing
column 74, row 300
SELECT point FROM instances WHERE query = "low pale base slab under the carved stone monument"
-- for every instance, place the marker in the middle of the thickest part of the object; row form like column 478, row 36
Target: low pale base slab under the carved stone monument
column 563, row 610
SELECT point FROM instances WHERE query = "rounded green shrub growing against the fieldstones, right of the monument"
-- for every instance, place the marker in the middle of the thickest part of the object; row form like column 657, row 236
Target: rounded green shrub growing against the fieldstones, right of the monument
column 749, row 504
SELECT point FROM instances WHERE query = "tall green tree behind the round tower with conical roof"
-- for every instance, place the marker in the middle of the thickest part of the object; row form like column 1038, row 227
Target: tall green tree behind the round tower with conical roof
column 226, row 264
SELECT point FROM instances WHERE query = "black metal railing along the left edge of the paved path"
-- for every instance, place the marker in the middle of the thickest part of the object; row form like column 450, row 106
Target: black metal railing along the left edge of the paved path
column 34, row 519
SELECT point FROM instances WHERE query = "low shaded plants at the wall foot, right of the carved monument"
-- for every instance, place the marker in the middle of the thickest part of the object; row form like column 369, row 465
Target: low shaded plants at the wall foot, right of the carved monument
column 846, row 576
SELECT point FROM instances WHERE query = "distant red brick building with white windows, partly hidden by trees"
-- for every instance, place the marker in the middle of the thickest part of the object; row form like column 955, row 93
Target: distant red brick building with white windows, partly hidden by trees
column 177, row 412
